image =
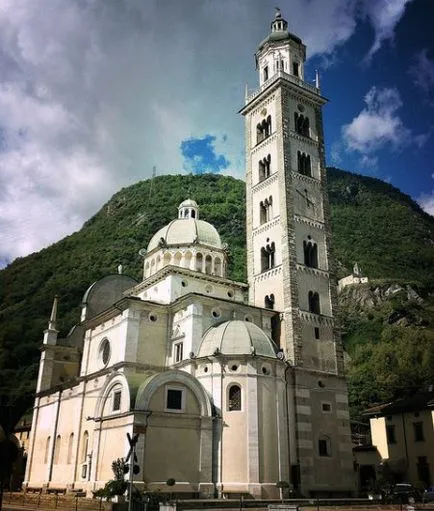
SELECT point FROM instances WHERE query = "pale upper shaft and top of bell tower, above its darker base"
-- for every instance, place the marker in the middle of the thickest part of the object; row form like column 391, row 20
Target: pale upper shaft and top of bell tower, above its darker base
column 288, row 238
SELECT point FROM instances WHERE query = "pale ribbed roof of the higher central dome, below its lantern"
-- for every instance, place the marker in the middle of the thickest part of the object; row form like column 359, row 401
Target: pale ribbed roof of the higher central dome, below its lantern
column 187, row 231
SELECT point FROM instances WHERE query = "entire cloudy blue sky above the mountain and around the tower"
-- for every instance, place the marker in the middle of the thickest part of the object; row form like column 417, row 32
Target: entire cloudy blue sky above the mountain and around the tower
column 95, row 93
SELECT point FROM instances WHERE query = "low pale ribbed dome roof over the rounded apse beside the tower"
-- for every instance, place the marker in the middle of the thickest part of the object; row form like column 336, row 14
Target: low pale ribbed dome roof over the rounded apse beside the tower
column 236, row 338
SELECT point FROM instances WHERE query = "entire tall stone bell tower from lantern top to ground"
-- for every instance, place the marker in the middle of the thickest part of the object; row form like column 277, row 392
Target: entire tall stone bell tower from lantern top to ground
column 288, row 254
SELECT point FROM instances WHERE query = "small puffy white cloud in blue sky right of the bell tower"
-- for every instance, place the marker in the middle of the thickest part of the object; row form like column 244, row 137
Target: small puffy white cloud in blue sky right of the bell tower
column 378, row 124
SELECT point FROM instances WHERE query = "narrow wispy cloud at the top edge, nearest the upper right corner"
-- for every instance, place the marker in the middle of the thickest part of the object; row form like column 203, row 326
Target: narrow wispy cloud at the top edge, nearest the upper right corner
column 384, row 15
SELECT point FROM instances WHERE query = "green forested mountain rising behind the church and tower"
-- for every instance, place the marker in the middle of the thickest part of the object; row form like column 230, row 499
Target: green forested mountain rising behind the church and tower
column 373, row 223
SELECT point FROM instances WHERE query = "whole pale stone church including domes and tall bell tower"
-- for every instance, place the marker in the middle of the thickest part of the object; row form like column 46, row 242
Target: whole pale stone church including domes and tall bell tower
column 230, row 387
